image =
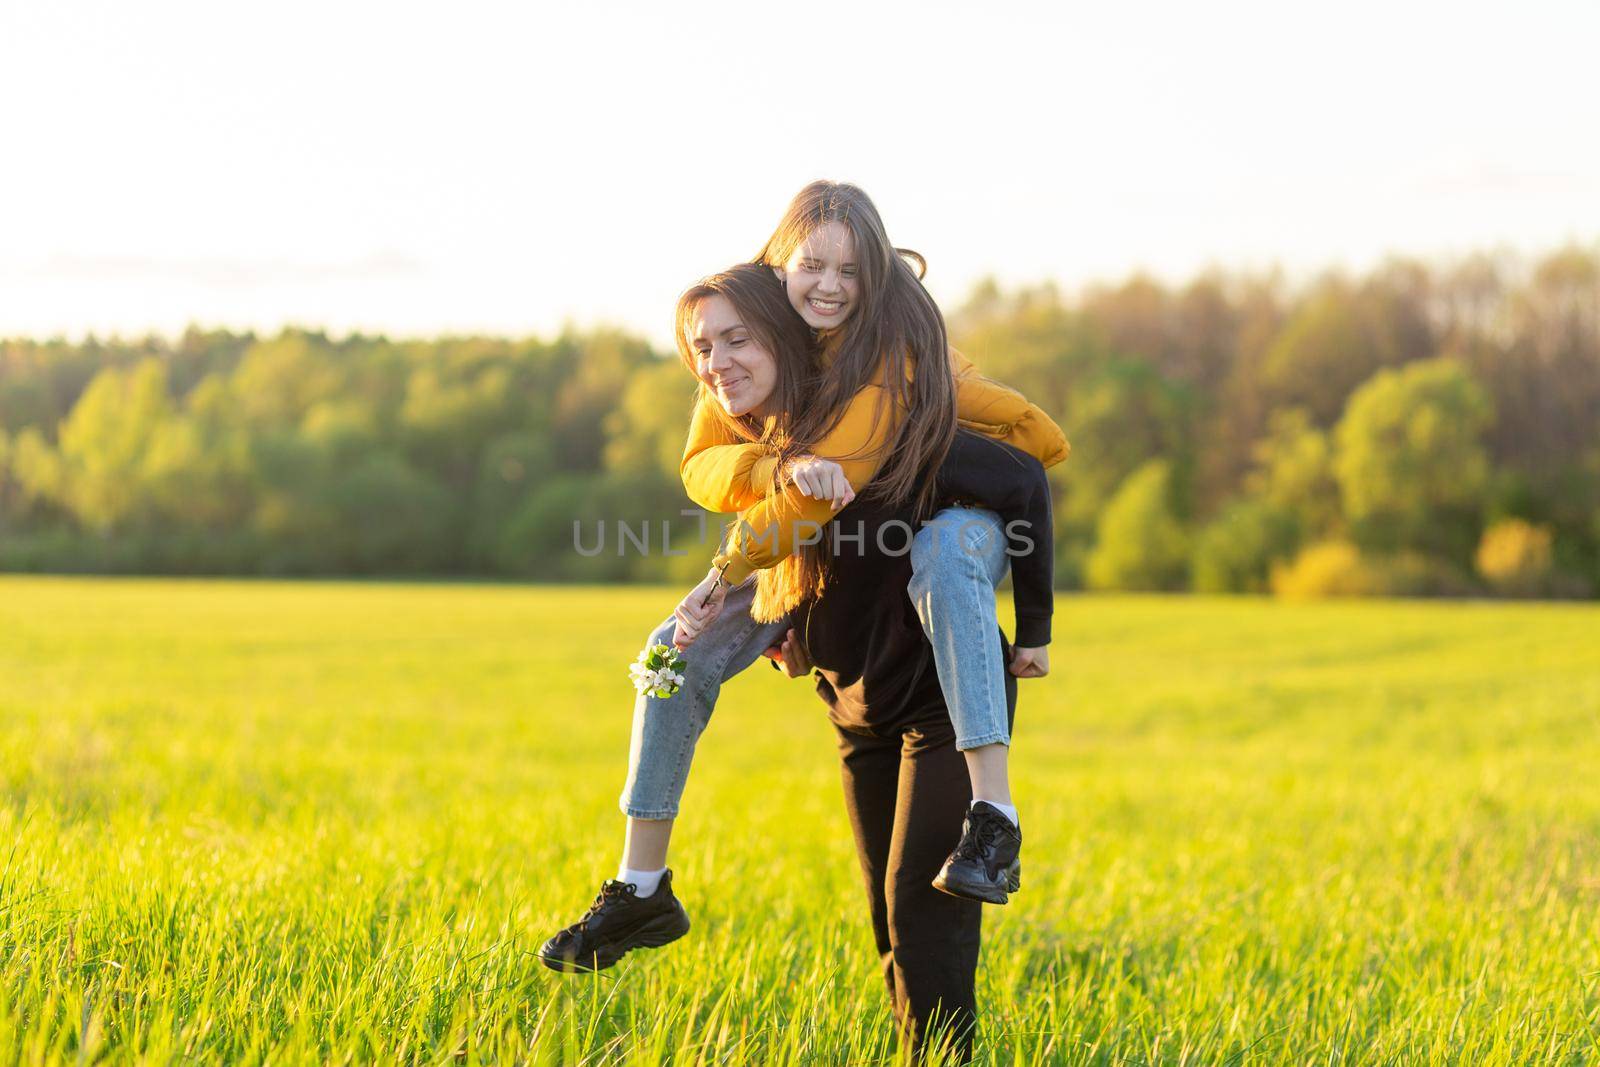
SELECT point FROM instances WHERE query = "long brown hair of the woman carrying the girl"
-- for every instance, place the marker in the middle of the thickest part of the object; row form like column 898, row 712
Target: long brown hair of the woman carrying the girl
column 762, row 306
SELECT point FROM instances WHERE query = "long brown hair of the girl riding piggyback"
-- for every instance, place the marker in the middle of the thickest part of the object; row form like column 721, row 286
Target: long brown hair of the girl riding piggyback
column 895, row 337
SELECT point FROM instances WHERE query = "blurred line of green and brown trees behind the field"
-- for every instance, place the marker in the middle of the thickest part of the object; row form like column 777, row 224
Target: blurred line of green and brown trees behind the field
column 1422, row 430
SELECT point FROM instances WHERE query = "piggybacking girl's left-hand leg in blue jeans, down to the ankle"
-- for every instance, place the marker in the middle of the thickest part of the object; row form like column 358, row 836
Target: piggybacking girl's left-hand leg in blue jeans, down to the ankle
column 666, row 729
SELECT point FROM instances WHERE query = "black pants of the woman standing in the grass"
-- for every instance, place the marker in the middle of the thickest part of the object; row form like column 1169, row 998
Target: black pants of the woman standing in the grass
column 908, row 793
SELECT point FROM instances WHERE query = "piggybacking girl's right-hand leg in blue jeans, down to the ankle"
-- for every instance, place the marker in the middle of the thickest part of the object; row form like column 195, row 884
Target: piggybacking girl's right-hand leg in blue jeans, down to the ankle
column 958, row 561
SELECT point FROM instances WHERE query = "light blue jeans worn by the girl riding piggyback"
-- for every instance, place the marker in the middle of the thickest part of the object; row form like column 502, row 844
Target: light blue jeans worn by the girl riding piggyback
column 958, row 561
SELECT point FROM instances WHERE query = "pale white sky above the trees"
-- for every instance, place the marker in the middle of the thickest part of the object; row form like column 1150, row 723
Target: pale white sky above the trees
column 484, row 167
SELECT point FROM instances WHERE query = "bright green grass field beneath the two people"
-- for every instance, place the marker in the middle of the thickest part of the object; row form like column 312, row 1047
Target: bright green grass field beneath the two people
column 332, row 823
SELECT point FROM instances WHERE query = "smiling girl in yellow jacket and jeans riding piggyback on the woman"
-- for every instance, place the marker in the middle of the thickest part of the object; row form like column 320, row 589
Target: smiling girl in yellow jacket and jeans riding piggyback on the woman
column 841, row 274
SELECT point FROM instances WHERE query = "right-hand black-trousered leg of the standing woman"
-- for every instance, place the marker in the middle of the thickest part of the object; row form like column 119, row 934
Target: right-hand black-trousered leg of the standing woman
column 935, row 937
